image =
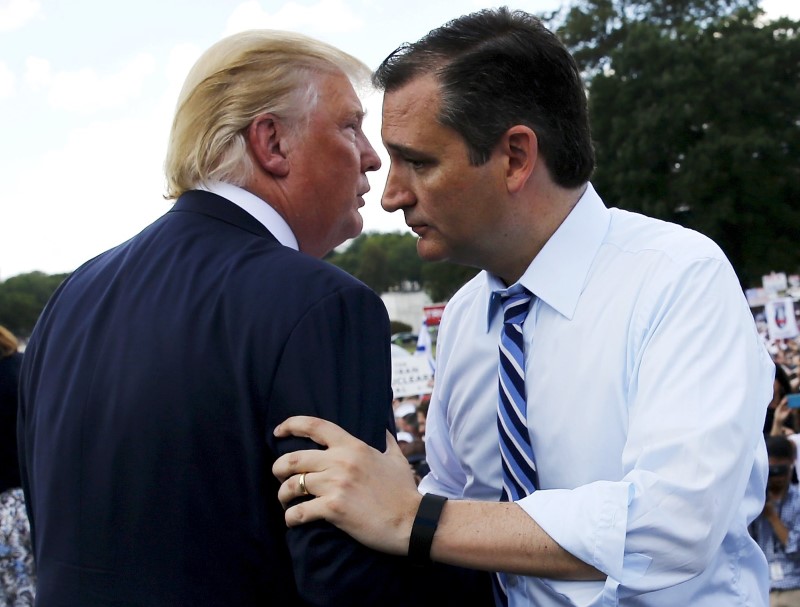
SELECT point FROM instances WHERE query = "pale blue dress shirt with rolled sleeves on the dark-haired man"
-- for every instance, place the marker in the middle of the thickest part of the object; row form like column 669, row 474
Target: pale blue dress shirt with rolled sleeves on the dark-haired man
column 647, row 388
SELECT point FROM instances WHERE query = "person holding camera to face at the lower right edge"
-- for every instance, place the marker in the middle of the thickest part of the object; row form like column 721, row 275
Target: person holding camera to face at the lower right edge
column 777, row 528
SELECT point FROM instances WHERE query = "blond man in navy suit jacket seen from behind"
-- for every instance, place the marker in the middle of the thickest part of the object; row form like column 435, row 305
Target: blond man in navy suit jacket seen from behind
column 158, row 370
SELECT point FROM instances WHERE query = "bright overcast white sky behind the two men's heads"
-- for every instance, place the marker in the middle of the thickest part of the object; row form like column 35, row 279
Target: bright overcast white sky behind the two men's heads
column 87, row 91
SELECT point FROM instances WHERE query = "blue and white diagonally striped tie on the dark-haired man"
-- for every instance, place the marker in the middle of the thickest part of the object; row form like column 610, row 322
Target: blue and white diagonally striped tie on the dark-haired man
column 519, row 467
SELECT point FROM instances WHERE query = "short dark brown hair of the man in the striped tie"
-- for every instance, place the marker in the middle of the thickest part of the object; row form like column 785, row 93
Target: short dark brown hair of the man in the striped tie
column 498, row 68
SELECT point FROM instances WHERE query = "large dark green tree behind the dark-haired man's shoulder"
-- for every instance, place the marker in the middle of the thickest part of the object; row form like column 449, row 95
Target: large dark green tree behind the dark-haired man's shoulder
column 695, row 110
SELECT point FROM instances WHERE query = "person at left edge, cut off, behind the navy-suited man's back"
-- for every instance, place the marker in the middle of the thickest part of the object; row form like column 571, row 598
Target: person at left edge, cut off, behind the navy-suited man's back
column 17, row 573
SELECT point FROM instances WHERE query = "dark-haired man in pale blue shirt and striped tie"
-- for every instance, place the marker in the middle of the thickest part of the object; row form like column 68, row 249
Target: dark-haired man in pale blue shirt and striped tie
column 622, row 476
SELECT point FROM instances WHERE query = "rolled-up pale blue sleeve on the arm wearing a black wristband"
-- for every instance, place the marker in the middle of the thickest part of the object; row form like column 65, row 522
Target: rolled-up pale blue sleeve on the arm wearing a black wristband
column 699, row 384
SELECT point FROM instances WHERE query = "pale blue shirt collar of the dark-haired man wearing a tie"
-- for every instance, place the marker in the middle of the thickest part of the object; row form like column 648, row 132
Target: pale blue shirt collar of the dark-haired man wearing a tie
column 559, row 272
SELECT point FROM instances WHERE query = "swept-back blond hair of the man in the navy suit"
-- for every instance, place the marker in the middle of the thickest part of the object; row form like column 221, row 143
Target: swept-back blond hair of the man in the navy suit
column 237, row 79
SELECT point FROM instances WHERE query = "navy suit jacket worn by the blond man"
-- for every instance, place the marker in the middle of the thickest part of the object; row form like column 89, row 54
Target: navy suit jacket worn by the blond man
column 149, row 392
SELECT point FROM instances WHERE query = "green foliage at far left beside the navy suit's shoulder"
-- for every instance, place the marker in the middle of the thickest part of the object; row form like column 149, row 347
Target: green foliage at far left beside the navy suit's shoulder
column 22, row 299
